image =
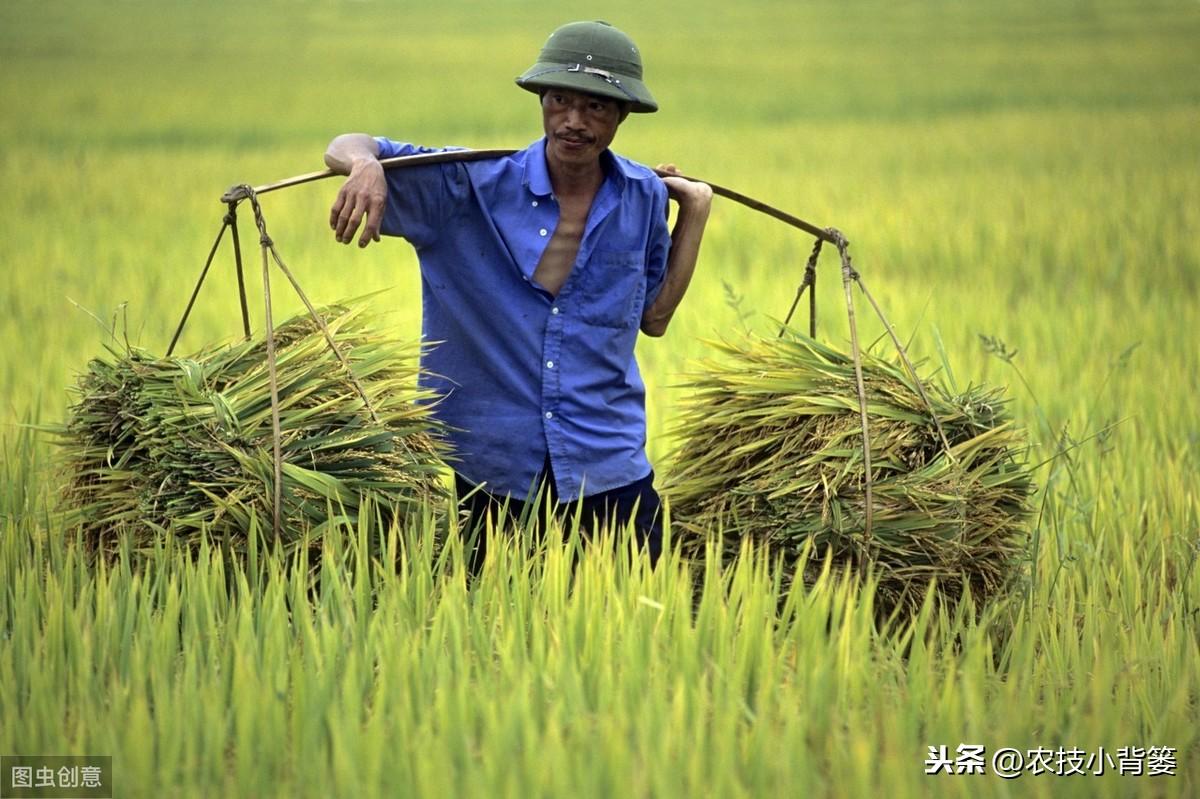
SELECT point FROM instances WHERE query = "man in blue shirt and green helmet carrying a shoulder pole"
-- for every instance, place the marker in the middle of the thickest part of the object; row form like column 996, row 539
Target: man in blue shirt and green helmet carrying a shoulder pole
column 537, row 273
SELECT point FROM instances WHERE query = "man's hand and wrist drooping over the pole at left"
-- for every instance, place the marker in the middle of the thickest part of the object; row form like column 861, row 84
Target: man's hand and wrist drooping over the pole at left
column 365, row 191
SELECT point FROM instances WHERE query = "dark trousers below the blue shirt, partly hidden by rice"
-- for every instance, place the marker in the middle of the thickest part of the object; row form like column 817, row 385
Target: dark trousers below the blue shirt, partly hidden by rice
column 638, row 502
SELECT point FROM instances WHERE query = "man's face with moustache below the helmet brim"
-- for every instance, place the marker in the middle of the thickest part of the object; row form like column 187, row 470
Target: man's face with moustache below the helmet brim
column 579, row 128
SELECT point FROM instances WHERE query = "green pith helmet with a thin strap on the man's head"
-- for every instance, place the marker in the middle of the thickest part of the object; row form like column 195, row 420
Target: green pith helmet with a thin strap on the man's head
column 595, row 58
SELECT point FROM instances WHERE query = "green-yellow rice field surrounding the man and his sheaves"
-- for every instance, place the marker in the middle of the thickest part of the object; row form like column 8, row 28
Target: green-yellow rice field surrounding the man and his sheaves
column 1015, row 177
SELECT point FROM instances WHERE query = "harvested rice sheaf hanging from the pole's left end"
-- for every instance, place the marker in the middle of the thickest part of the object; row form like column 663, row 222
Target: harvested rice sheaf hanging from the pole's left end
column 185, row 444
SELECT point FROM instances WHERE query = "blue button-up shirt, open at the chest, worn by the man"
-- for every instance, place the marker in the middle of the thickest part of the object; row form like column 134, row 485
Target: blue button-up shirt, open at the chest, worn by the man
column 524, row 374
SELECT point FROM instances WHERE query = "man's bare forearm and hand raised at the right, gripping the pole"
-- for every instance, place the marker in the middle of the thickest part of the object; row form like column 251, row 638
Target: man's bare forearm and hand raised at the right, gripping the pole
column 695, row 201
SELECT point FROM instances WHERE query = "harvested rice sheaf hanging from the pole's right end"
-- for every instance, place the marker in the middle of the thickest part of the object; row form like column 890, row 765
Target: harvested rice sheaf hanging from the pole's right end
column 772, row 452
